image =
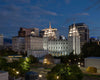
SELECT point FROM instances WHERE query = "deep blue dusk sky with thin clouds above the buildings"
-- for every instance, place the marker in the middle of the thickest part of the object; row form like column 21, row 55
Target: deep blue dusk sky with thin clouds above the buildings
column 38, row 13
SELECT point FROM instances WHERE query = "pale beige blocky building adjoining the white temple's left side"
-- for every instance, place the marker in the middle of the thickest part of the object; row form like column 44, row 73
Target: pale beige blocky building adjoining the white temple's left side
column 34, row 46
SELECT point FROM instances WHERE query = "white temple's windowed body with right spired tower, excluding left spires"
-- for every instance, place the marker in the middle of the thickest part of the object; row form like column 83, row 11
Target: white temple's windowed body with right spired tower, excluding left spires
column 60, row 47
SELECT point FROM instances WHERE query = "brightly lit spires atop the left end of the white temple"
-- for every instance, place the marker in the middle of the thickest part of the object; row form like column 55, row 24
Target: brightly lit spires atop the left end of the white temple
column 52, row 33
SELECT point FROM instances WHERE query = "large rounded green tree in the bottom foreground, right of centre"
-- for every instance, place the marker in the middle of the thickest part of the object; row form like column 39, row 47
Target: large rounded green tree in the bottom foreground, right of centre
column 65, row 72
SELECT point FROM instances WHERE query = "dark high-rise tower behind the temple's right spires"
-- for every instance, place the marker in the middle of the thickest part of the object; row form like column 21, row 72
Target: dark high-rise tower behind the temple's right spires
column 83, row 32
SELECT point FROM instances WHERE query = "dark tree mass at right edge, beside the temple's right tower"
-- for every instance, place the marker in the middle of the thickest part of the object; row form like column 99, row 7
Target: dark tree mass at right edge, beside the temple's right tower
column 90, row 49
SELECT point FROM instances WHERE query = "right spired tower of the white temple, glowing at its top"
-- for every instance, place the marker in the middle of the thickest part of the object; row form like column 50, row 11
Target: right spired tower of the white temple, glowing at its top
column 74, row 40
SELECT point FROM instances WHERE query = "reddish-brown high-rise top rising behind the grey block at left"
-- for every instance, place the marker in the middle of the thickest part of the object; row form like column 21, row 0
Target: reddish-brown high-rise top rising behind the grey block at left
column 23, row 32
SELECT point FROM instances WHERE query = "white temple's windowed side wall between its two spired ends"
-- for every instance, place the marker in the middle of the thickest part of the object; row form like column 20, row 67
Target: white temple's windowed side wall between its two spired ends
column 56, row 47
